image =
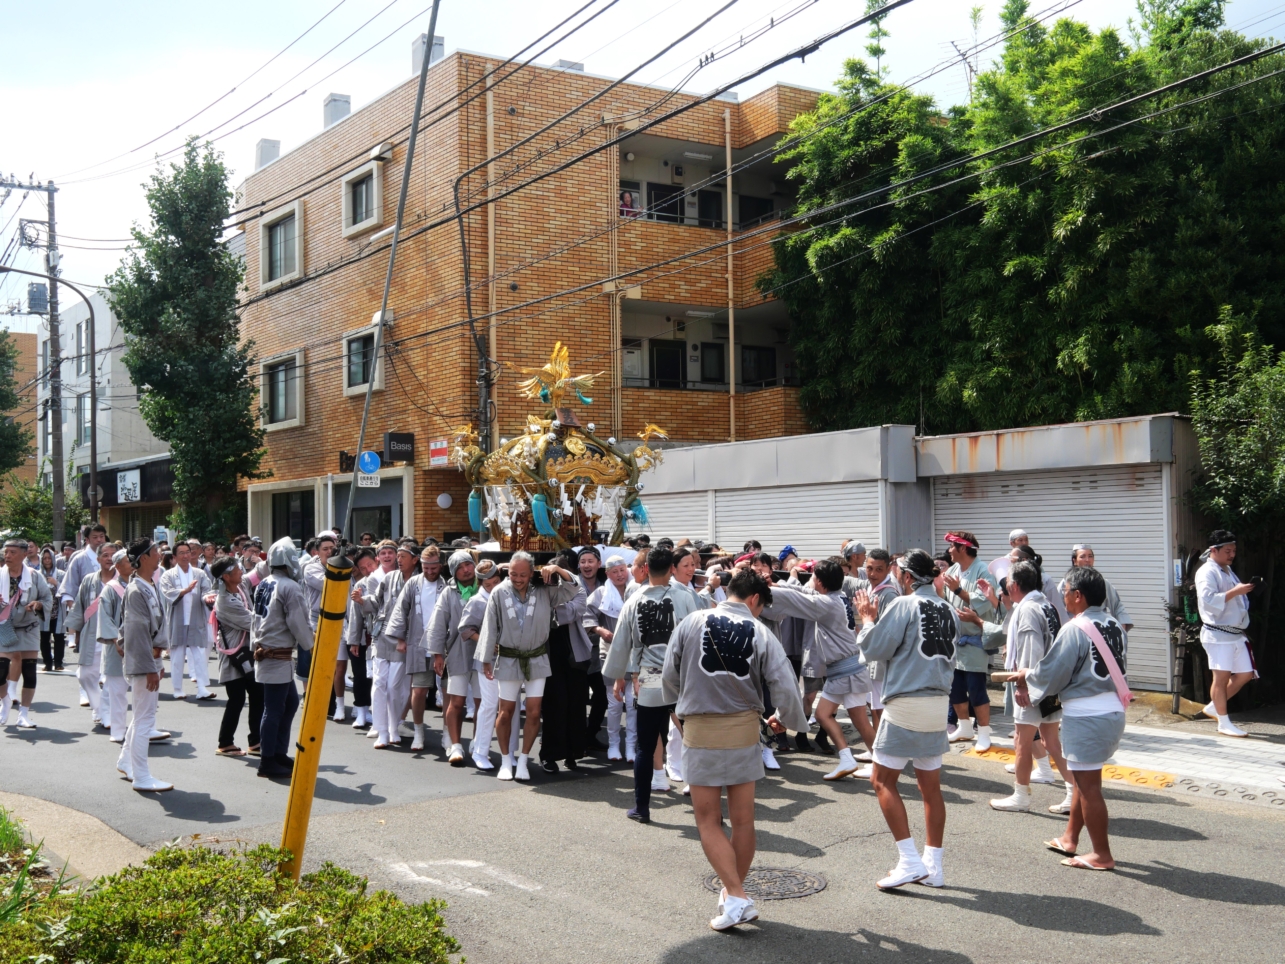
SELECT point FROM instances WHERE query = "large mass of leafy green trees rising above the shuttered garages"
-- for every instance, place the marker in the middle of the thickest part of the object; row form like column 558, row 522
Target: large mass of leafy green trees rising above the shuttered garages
column 1077, row 283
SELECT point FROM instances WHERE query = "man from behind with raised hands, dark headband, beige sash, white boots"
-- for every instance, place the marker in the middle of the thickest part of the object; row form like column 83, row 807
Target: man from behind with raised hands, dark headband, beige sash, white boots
column 916, row 638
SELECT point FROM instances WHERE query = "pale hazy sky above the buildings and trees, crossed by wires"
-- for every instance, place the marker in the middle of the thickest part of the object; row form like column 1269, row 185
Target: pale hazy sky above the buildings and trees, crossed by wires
column 84, row 85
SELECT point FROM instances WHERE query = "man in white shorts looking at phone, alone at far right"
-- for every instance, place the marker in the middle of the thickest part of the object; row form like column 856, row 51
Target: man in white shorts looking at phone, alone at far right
column 1224, row 605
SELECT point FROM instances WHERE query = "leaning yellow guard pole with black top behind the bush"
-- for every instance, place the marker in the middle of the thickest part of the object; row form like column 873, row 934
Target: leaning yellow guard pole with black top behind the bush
column 317, row 700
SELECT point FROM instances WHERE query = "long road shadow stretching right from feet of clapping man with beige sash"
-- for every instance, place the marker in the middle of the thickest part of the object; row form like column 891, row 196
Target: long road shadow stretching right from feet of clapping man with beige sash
column 1045, row 912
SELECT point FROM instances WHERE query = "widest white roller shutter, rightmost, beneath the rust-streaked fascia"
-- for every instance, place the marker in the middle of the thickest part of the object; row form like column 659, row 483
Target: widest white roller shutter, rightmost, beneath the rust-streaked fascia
column 1117, row 510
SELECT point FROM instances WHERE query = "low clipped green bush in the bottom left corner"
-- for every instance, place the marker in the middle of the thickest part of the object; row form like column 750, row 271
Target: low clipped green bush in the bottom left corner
column 205, row 907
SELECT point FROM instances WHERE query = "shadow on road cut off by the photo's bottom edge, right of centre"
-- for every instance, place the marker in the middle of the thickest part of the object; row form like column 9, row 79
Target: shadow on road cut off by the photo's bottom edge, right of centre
column 767, row 943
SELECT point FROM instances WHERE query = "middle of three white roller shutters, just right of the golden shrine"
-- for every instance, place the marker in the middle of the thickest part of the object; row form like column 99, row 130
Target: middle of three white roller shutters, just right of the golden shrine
column 815, row 520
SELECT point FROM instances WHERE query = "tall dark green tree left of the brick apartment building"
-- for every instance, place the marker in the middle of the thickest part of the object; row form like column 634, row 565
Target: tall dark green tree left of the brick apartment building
column 177, row 298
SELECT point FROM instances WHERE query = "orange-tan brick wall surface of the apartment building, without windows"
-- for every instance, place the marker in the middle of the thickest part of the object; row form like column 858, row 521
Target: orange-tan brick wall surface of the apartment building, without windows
column 431, row 363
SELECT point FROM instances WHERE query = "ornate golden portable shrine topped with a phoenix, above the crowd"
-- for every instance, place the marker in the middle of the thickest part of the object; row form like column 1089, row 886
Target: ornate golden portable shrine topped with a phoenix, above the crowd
column 557, row 485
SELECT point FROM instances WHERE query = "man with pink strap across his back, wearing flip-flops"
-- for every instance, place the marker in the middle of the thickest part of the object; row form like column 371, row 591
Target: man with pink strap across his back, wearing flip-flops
column 1093, row 709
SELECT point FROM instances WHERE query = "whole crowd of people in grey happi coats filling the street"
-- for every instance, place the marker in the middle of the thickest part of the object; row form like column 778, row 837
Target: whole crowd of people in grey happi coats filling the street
column 702, row 664
